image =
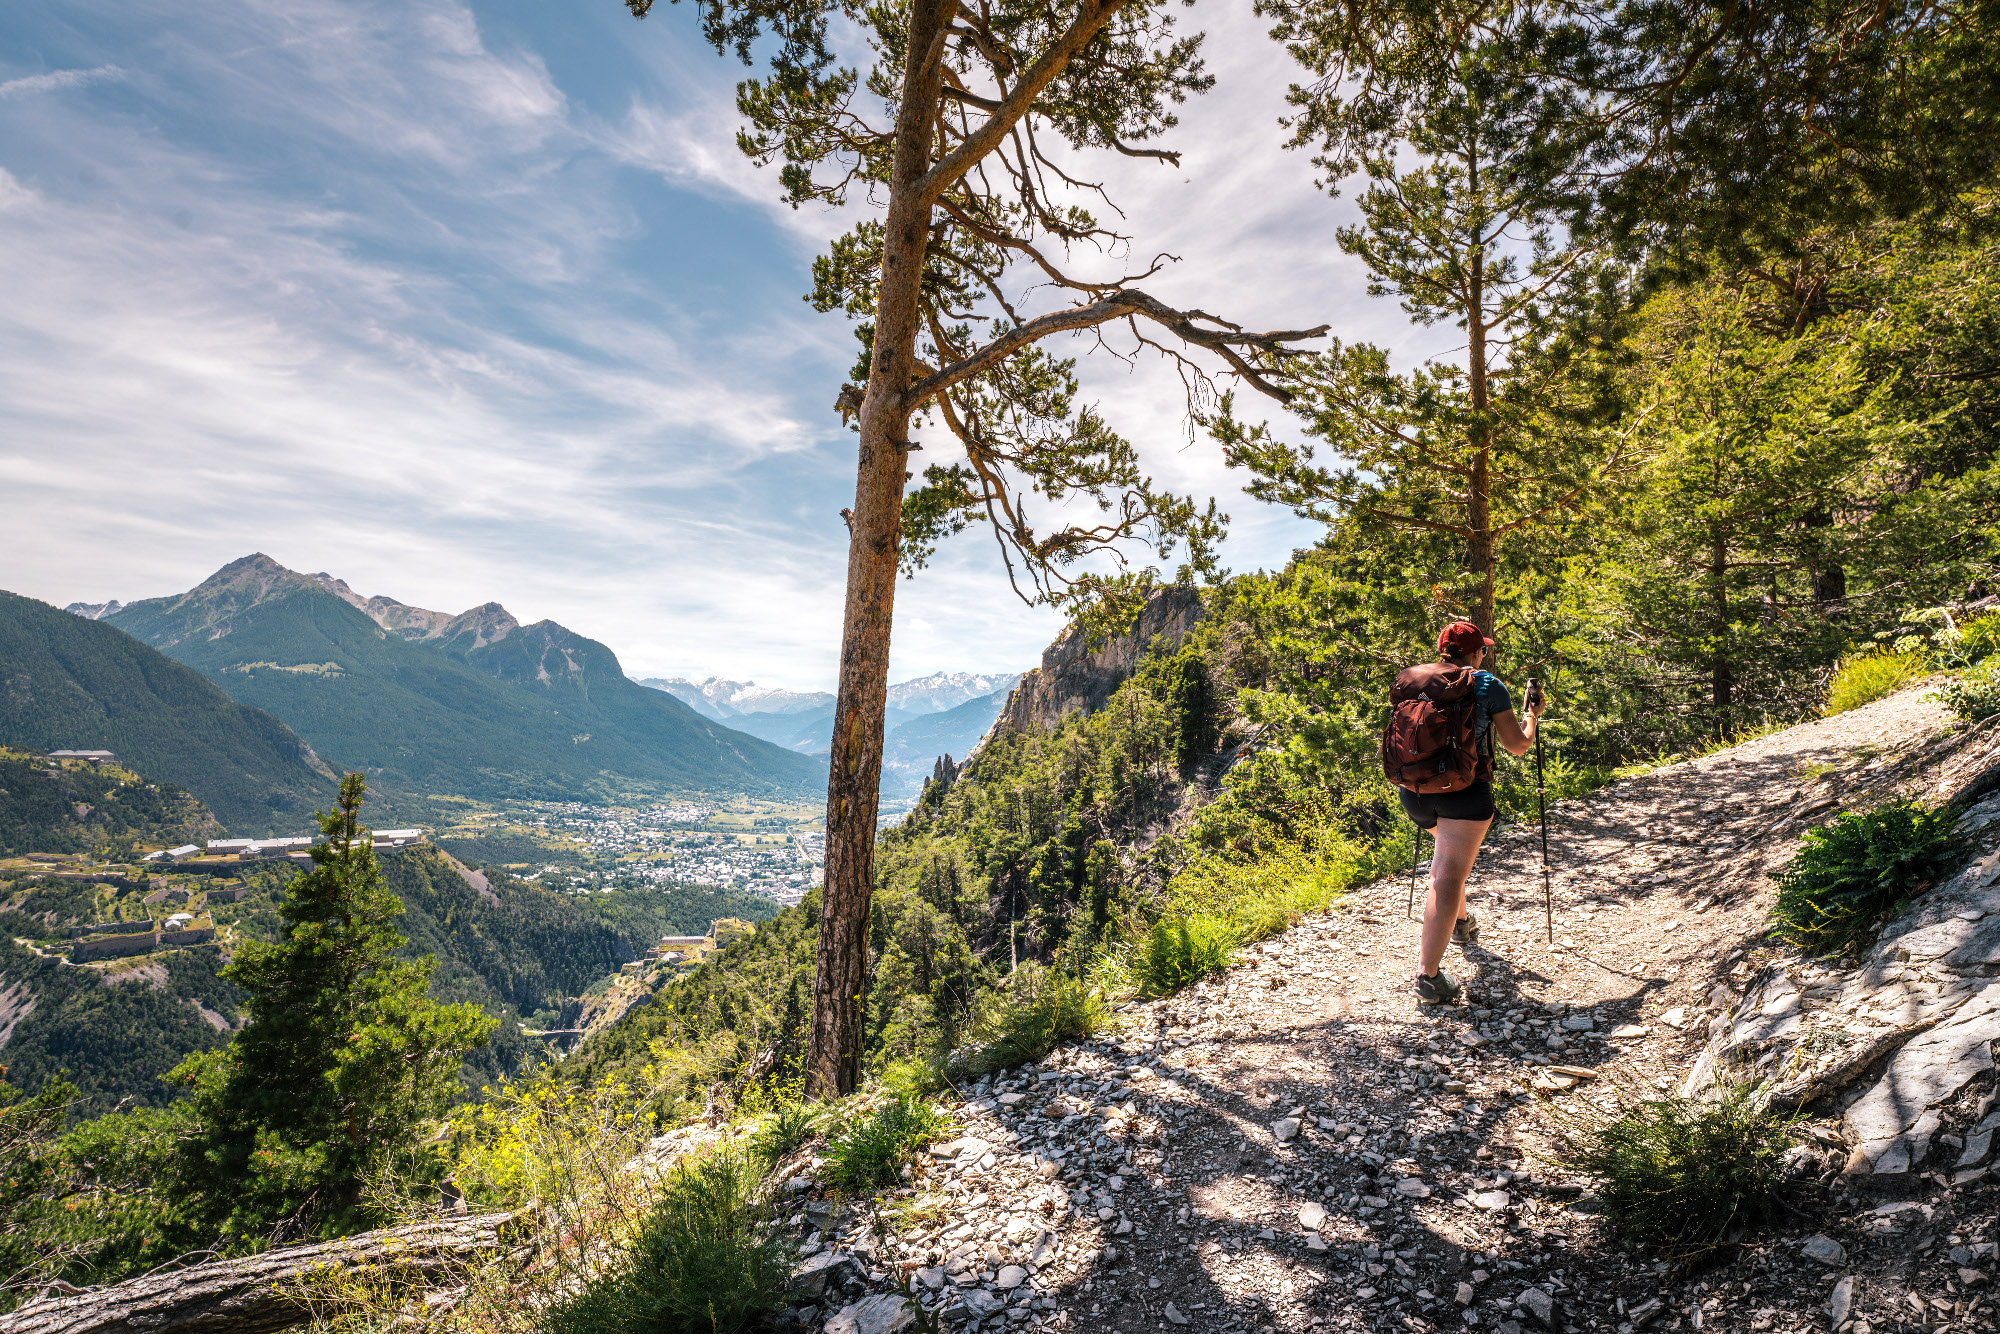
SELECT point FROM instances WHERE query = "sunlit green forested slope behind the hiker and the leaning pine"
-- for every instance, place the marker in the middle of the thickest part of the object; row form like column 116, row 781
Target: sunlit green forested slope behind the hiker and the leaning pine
column 1785, row 489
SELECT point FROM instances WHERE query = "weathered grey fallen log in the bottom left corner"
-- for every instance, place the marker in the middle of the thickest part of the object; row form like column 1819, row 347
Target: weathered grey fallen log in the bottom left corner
column 255, row 1295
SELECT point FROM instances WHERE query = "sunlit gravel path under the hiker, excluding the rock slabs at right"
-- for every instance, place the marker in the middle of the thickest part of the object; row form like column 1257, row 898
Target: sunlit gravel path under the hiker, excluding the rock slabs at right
column 1295, row 1145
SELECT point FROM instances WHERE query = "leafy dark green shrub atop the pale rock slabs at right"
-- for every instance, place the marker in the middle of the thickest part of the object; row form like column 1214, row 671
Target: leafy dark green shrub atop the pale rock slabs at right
column 1853, row 873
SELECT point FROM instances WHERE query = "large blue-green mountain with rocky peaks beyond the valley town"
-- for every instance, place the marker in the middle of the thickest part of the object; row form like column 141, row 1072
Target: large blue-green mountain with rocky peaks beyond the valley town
column 431, row 703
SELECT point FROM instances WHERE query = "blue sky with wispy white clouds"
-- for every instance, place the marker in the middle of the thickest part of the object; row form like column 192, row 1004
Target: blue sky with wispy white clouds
column 479, row 303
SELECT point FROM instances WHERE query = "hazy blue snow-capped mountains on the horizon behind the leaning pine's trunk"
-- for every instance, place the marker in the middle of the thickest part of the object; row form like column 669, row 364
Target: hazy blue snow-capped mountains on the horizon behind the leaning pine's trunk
column 945, row 713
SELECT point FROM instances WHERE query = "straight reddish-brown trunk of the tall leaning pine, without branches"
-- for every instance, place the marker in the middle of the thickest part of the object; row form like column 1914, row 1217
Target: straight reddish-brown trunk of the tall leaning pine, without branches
column 875, row 527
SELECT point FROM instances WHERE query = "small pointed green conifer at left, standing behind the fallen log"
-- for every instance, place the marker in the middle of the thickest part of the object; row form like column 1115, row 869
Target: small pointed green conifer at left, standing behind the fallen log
column 343, row 1061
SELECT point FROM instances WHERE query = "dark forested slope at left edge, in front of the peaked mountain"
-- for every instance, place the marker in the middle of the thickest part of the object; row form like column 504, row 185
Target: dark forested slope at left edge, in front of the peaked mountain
column 75, row 685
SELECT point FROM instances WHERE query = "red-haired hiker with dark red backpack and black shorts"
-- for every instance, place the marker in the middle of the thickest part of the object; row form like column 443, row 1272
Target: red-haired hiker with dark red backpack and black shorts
column 1437, row 749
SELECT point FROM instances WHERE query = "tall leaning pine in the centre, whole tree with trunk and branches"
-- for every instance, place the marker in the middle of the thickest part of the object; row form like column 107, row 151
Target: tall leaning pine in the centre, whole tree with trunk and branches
column 965, row 141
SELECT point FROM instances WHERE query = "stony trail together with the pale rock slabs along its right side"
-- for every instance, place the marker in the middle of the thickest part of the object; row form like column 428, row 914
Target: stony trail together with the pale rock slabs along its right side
column 1297, row 1145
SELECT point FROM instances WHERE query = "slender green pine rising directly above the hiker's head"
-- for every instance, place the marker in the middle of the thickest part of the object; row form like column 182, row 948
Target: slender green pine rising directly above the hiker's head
column 1481, row 233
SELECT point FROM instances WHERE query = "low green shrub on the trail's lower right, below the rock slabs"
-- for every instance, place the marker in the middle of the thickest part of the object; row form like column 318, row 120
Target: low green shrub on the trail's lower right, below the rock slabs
column 1679, row 1173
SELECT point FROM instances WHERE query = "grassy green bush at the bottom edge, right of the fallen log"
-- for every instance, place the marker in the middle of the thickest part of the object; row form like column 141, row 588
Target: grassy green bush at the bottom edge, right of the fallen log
column 707, row 1261
